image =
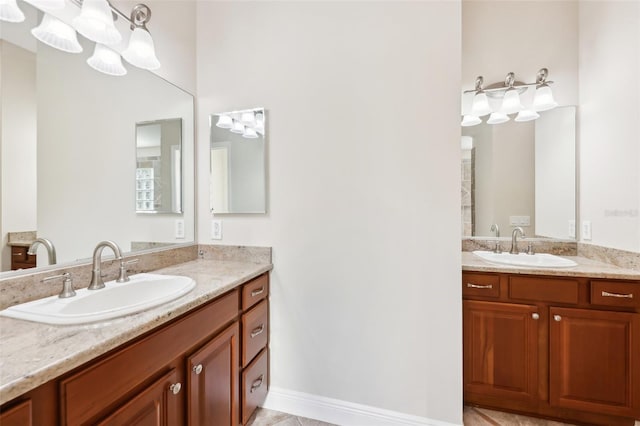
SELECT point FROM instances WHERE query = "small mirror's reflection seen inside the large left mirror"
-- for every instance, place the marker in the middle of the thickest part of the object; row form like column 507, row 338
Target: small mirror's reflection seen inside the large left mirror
column 159, row 166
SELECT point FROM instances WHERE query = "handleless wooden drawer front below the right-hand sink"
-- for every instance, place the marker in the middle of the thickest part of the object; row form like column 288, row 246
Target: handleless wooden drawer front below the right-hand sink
column 543, row 289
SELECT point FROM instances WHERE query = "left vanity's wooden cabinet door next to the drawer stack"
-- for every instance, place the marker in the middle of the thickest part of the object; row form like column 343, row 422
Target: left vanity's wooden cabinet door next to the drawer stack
column 212, row 378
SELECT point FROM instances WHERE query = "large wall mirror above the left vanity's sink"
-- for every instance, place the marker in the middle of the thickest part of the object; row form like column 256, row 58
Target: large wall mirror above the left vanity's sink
column 68, row 137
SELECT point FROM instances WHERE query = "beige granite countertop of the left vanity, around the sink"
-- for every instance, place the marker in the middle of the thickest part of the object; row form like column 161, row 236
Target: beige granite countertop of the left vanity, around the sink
column 32, row 353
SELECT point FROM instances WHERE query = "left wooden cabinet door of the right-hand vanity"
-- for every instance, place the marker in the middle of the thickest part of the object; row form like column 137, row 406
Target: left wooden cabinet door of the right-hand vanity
column 500, row 353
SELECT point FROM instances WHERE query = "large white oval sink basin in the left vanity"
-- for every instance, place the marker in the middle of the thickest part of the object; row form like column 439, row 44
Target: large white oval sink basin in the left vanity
column 143, row 291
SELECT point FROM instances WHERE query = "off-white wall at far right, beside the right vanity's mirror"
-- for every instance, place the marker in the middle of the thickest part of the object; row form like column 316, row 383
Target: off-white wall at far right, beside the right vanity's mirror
column 608, row 122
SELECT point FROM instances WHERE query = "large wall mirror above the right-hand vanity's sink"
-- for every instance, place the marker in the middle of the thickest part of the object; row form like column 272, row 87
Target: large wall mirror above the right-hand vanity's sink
column 521, row 174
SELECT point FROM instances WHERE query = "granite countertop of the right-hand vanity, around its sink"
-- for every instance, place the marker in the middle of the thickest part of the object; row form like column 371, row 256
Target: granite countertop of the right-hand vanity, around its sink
column 585, row 268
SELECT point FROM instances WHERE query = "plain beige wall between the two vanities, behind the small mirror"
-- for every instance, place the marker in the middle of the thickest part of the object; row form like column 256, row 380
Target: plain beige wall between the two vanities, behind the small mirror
column 364, row 196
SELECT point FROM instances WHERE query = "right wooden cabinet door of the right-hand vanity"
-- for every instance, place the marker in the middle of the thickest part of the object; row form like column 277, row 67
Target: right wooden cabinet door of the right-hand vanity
column 595, row 361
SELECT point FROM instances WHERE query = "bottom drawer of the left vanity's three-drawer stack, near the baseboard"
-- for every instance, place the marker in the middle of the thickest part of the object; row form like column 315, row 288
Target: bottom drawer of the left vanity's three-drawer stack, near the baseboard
column 255, row 383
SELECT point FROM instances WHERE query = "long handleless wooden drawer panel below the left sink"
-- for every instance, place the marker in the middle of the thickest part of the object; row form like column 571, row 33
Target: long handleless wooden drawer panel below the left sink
column 124, row 371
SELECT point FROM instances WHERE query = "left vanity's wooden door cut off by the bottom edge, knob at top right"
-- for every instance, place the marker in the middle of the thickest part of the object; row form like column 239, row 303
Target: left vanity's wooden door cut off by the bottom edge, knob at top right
column 156, row 405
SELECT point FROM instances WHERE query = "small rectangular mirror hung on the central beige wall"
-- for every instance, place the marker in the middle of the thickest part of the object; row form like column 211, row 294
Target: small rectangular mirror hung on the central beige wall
column 237, row 154
